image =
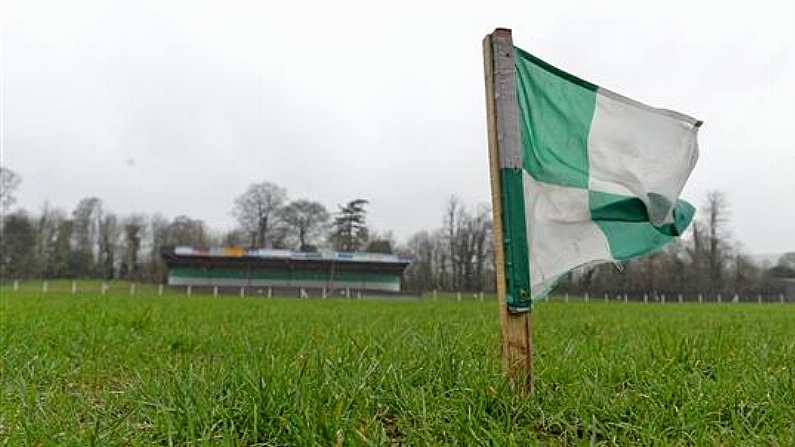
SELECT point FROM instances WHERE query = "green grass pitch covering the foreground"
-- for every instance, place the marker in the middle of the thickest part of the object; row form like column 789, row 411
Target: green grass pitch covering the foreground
column 87, row 369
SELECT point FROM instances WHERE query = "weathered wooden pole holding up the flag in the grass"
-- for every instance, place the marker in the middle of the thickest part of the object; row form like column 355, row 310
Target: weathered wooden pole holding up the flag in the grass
column 503, row 132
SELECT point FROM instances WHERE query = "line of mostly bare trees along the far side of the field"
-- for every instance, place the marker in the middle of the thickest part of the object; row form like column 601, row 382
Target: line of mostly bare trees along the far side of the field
column 91, row 241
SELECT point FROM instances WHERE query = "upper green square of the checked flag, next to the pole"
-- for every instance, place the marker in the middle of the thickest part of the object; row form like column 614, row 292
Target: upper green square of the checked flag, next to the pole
column 563, row 106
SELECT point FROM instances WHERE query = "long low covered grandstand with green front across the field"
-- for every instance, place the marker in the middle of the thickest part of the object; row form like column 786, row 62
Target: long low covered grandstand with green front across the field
column 285, row 270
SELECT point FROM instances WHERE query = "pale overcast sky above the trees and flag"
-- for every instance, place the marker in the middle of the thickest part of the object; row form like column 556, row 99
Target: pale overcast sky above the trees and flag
column 177, row 106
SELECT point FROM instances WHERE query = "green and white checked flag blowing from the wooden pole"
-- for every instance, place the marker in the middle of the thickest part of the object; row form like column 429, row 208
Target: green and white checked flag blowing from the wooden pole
column 600, row 175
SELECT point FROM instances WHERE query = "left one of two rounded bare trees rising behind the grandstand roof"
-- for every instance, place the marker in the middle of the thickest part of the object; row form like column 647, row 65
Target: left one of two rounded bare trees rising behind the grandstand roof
column 256, row 211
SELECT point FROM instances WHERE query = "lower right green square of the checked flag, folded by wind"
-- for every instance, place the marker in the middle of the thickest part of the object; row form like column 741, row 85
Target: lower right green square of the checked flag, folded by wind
column 625, row 222
